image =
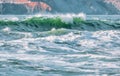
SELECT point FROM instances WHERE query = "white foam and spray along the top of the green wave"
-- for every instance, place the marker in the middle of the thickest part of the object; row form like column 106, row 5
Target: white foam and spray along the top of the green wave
column 65, row 17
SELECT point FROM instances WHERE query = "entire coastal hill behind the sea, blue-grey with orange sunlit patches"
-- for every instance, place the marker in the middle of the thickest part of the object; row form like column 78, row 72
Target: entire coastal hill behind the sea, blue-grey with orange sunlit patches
column 91, row 7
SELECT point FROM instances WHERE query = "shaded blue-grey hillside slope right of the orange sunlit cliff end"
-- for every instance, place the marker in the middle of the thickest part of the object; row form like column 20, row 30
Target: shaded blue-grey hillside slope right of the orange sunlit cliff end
column 85, row 6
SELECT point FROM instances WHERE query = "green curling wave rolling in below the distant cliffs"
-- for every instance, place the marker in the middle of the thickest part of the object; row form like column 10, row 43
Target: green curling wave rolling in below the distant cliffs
column 46, row 24
